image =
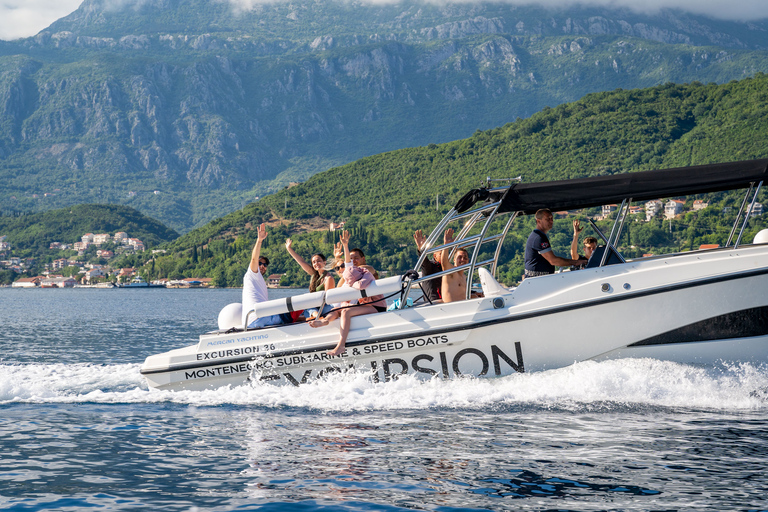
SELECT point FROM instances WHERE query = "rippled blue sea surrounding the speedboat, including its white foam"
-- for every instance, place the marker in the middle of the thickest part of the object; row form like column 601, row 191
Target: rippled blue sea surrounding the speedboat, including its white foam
column 80, row 430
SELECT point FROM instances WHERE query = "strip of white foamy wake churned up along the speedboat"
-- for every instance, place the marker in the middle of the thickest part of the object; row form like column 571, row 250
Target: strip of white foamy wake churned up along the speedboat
column 608, row 385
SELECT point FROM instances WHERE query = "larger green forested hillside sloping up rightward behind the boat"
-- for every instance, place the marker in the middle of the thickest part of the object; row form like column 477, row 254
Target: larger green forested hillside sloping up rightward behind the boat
column 384, row 198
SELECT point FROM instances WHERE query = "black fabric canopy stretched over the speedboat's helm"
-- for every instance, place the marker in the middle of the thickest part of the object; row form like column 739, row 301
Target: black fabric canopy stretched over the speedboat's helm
column 640, row 186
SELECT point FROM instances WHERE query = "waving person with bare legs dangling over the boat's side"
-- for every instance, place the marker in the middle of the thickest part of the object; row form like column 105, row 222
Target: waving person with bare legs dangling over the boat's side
column 357, row 277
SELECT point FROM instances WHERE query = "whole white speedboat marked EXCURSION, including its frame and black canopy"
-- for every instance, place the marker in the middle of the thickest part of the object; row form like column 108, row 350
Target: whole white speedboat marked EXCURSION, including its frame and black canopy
column 697, row 307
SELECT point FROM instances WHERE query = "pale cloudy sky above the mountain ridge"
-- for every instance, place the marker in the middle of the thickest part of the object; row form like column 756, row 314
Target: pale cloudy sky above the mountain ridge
column 24, row 18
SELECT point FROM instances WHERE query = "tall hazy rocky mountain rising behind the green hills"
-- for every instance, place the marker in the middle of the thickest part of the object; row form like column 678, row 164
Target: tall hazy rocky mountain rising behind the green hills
column 189, row 109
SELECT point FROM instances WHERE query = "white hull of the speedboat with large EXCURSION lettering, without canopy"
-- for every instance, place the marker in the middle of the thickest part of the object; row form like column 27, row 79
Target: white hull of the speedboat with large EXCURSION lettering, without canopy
column 698, row 307
